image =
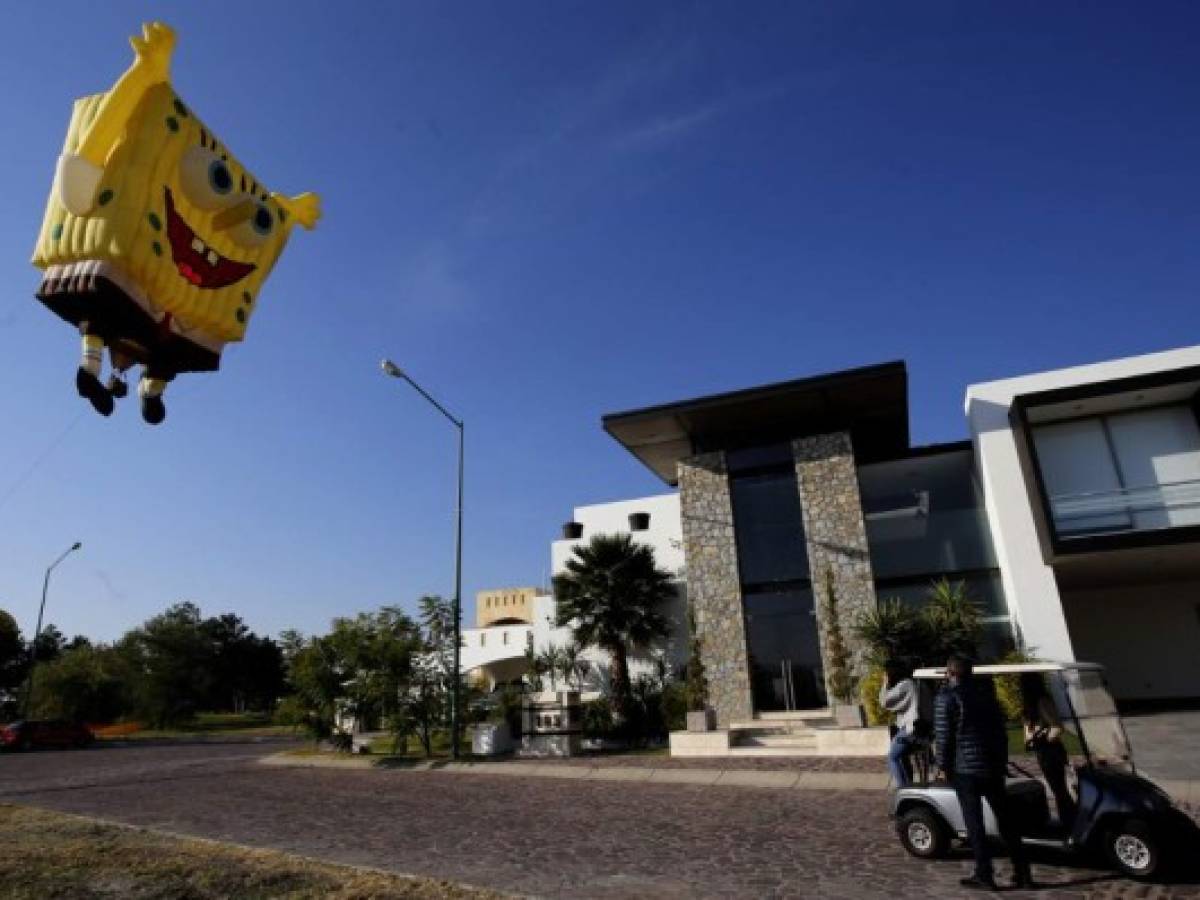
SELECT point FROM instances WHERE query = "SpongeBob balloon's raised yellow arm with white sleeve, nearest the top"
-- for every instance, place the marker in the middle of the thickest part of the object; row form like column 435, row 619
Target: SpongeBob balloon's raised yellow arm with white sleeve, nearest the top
column 80, row 173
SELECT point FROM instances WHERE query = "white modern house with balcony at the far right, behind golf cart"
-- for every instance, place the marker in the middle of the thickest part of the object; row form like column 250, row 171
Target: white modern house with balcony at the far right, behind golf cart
column 1091, row 478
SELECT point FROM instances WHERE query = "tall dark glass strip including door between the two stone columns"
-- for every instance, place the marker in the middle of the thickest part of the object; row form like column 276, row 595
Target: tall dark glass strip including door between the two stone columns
column 782, row 627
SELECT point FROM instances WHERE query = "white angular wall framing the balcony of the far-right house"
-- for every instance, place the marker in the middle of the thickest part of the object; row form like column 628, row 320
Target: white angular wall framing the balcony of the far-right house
column 1029, row 583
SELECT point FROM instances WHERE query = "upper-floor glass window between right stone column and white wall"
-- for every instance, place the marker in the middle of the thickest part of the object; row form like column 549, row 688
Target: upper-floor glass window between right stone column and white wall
column 925, row 515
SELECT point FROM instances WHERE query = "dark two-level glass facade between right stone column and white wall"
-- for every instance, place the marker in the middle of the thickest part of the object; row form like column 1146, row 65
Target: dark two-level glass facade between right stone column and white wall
column 926, row 521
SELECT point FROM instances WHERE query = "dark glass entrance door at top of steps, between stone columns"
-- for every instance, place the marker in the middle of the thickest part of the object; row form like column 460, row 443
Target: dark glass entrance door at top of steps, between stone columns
column 785, row 651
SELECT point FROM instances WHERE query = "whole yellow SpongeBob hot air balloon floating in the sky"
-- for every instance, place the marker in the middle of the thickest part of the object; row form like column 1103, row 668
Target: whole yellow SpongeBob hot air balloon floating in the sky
column 157, row 241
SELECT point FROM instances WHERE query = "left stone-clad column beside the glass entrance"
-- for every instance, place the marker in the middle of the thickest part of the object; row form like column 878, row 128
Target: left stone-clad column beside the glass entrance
column 715, row 589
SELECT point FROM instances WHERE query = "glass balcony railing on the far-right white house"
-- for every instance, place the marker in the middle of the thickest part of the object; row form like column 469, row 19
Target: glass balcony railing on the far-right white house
column 1129, row 509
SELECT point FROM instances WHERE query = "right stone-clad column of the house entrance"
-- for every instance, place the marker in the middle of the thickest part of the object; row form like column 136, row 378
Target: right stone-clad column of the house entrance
column 836, row 533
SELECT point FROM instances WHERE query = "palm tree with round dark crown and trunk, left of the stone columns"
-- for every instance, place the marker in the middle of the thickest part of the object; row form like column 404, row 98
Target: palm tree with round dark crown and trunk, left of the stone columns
column 610, row 596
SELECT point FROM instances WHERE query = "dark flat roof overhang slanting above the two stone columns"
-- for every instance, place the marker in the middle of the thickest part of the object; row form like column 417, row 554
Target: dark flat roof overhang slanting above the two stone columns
column 871, row 403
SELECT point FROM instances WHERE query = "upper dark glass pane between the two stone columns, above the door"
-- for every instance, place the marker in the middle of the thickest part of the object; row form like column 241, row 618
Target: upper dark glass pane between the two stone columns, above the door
column 770, row 529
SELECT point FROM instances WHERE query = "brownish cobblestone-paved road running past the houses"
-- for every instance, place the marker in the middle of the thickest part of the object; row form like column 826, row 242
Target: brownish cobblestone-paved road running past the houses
column 533, row 836
